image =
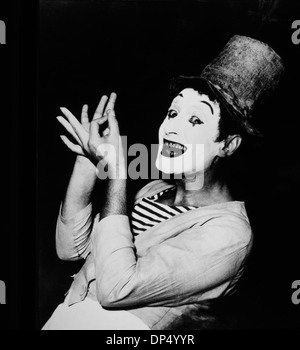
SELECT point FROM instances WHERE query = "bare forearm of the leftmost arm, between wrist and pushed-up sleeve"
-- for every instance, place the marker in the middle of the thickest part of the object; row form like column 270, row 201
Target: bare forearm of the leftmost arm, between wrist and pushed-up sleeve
column 80, row 188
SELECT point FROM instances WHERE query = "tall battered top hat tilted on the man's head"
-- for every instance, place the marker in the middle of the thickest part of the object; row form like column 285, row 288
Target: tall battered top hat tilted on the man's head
column 242, row 76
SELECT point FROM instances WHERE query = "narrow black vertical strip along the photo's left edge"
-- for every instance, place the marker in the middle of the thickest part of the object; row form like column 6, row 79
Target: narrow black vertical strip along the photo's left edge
column 18, row 267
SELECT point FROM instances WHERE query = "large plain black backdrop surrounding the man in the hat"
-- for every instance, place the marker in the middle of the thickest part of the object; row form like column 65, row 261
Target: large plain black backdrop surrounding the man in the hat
column 88, row 48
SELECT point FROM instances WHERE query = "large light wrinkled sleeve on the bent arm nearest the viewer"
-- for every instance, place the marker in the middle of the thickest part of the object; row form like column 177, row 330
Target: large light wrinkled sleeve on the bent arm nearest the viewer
column 175, row 272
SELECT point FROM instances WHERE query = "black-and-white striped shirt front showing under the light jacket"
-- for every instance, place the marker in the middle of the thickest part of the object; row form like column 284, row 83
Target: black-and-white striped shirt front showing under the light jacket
column 148, row 212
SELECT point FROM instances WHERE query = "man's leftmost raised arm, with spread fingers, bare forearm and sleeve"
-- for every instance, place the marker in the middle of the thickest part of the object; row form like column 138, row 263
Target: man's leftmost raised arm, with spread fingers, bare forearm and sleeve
column 75, row 223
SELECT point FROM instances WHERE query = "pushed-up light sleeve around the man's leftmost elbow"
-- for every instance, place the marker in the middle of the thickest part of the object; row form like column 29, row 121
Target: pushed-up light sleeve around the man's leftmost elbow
column 73, row 234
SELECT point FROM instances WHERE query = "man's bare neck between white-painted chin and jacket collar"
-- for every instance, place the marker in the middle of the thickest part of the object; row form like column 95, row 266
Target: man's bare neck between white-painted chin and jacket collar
column 201, row 191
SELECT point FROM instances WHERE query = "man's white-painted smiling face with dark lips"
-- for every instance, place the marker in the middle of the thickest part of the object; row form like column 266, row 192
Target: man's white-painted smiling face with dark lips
column 188, row 133
